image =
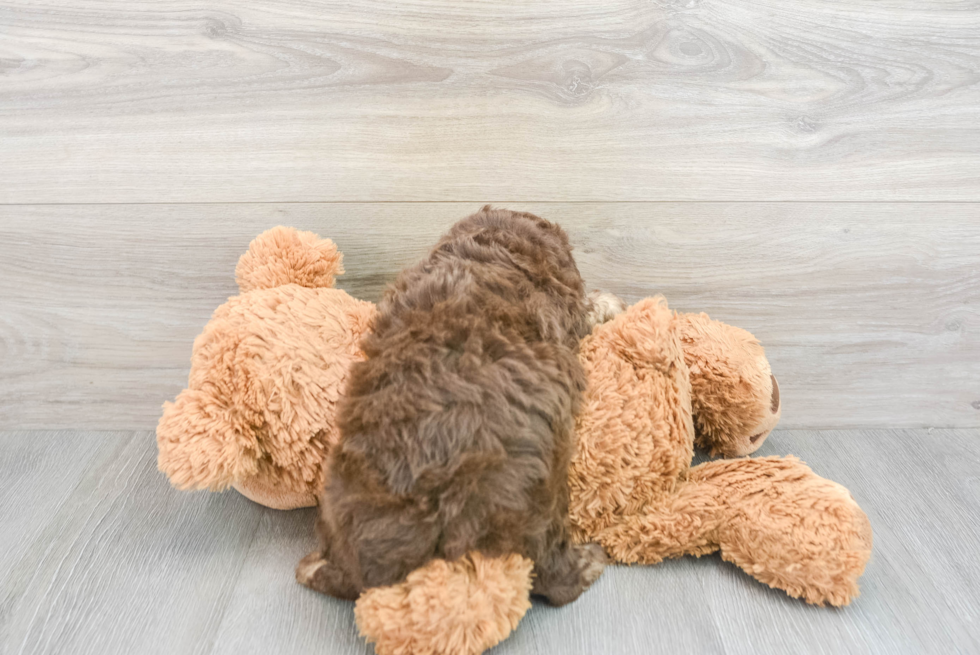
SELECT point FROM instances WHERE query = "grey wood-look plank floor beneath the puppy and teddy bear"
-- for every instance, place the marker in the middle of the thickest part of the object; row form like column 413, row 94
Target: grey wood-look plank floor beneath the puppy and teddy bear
column 124, row 564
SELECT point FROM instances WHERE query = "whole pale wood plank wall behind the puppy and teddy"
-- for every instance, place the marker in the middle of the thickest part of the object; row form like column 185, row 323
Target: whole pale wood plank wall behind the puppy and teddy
column 806, row 169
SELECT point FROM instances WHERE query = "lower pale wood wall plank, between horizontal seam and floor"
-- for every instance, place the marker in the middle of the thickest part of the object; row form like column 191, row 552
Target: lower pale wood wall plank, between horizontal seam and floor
column 870, row 313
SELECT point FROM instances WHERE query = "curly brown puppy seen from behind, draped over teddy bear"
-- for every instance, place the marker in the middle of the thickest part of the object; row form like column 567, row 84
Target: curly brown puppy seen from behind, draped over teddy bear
column 457, row 430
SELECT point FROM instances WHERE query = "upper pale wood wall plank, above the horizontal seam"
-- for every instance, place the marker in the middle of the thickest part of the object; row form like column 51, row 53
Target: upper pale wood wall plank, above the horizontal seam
column 287, row 100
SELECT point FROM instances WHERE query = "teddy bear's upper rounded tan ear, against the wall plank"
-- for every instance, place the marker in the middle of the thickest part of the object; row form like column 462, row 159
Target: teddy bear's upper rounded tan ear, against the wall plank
column 284, row 255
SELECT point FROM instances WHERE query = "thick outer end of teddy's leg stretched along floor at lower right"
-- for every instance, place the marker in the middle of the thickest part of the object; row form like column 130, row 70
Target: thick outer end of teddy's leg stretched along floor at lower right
column 789, row 528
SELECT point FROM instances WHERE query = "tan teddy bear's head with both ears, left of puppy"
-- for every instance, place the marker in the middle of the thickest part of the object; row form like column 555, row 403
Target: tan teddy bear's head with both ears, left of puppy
column 259, row 411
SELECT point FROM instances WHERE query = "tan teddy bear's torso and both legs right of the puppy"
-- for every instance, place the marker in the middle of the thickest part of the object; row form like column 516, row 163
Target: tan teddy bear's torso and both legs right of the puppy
column 632, row 485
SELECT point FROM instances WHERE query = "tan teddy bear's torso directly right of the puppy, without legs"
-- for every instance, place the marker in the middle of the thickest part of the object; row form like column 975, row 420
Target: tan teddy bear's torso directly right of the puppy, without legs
column 635, row 436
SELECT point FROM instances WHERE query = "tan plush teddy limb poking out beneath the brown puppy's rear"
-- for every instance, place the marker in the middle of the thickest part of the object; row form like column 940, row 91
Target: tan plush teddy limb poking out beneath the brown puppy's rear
column 462, row 607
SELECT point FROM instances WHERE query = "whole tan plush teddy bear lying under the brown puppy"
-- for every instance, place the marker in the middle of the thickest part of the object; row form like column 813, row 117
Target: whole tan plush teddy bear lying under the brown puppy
column 270, row 366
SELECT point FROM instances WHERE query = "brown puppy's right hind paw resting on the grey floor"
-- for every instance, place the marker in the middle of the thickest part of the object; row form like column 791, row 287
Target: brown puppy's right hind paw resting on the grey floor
column 567, row 571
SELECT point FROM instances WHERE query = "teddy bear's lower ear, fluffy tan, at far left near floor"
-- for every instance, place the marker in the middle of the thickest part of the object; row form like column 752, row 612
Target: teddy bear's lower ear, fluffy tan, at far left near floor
column 201, row 444
